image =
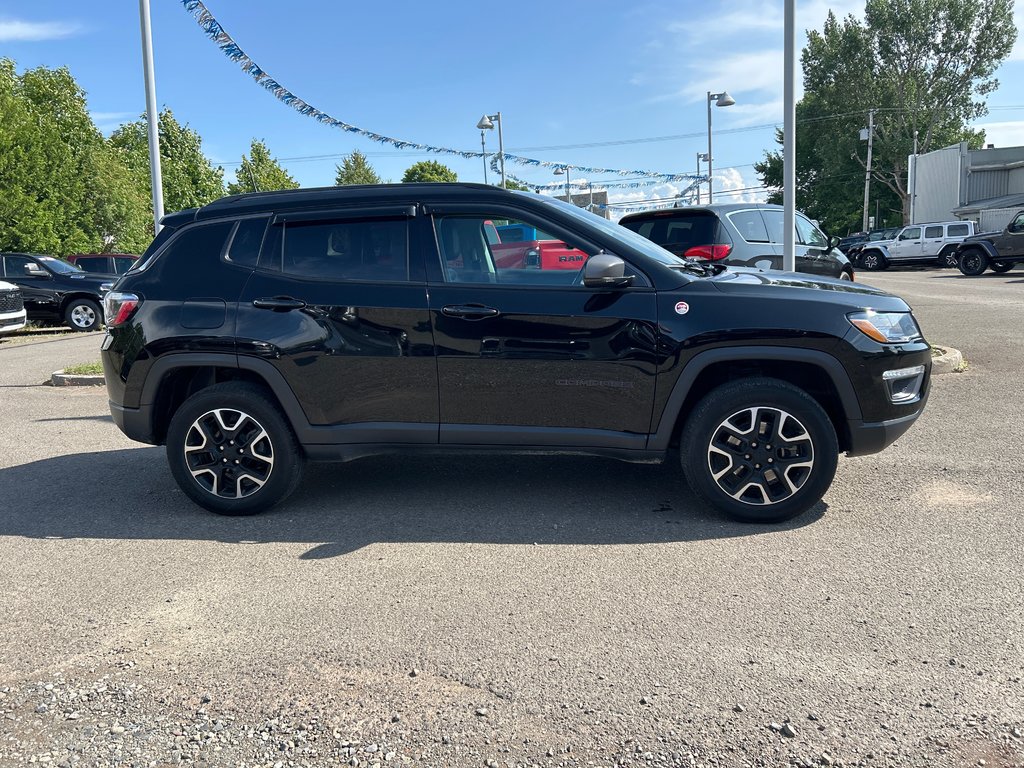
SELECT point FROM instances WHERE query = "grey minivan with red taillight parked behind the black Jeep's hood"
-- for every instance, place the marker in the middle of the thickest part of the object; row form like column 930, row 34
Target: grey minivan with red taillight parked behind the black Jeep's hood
column 741, row 235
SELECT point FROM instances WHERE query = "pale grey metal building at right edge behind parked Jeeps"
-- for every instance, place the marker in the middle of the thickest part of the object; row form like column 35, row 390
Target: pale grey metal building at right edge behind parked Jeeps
column 987, row 186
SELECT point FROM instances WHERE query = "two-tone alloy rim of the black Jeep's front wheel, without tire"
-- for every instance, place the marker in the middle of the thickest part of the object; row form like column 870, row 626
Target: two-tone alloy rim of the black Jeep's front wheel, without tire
column 761, row 456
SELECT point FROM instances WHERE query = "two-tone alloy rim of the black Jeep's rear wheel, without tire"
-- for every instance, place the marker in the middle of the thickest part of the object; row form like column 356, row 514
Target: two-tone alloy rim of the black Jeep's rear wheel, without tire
column 229, row 454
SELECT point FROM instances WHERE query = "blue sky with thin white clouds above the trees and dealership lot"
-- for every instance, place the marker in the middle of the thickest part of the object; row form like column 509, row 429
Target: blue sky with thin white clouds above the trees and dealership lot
column 564, row 74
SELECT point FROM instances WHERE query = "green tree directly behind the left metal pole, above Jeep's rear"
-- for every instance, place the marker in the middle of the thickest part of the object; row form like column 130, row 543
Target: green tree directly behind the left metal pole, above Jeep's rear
column 189, row 178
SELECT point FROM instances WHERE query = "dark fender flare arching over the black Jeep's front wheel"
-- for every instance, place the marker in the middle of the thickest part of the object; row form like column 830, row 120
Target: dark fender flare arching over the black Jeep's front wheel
column 674, row 406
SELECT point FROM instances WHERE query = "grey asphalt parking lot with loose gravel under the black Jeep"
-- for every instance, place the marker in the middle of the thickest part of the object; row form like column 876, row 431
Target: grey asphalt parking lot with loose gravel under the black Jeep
column 522, row 611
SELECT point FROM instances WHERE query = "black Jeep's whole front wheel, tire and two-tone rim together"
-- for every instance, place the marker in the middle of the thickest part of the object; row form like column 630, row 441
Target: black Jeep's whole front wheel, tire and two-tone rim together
column 715, row 452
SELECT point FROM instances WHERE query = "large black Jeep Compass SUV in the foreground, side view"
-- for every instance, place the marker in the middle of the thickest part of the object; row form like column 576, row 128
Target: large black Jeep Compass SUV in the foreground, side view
column 269, row 329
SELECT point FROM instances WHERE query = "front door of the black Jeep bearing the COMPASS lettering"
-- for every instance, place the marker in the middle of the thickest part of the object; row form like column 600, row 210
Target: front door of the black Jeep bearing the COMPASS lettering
column 530, row 357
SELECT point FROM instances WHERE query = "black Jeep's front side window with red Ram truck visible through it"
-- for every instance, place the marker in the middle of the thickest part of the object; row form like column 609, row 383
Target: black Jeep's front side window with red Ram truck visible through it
column 470, row 255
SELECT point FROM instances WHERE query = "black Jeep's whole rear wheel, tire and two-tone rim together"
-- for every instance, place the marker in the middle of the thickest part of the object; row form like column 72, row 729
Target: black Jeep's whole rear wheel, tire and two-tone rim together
column 253, row 461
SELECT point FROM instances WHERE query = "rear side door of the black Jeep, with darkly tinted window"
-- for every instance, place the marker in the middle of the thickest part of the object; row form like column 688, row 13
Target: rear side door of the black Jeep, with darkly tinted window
column 338, row 305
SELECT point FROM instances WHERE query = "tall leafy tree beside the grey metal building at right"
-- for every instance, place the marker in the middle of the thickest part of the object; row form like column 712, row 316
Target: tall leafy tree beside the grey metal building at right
column 924, row 66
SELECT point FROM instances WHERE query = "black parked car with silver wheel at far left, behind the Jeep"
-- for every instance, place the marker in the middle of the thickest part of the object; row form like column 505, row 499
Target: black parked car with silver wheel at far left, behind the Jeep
column 58, row 292
